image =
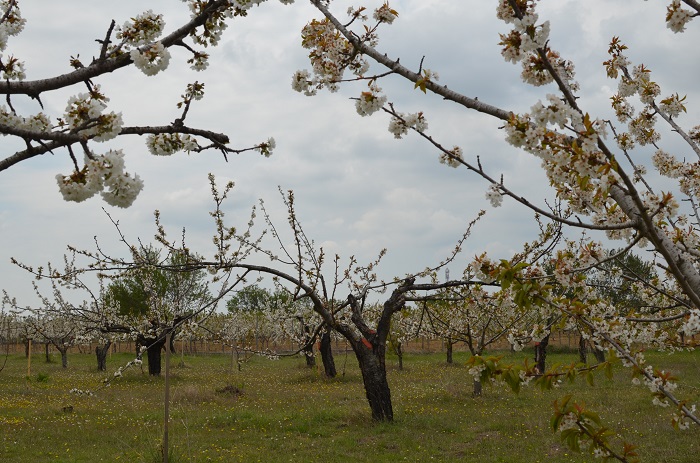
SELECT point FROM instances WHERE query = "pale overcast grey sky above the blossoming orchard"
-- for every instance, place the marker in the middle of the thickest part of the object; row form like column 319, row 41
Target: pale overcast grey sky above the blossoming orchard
column 357, row 189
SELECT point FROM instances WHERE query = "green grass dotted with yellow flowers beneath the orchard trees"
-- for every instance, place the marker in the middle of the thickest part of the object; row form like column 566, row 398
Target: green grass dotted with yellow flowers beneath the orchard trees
column 280, row 411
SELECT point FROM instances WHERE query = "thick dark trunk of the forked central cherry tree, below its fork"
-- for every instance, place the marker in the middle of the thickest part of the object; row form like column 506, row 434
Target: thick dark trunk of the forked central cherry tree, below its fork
column 373, row 368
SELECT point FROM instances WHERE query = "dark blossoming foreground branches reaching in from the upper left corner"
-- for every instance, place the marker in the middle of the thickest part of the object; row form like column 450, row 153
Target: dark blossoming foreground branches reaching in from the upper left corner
column 142, row 42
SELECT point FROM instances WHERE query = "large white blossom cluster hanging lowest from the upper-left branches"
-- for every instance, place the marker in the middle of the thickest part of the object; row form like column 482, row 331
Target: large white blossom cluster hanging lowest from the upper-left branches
column 105, row 174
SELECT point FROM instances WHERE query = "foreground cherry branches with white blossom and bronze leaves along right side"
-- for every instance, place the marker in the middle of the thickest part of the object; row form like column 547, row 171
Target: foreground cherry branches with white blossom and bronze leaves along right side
column 587, row 159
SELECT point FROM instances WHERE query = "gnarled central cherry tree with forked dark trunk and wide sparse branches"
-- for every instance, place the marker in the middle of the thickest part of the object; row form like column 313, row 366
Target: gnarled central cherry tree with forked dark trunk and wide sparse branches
column 297, row 265
